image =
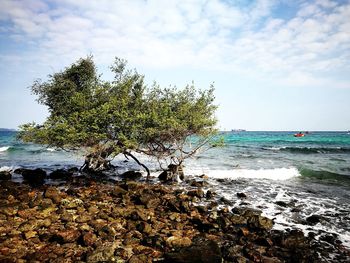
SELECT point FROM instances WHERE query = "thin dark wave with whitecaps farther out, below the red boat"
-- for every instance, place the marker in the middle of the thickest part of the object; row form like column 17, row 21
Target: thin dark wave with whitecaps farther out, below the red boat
column 309, row 150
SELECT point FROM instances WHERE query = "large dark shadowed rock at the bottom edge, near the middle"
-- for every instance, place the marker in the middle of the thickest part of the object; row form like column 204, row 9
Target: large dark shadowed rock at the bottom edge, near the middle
column 202, row 250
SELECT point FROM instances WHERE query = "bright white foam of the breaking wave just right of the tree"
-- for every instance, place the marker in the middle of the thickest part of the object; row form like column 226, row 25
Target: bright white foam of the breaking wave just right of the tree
column 273, row 174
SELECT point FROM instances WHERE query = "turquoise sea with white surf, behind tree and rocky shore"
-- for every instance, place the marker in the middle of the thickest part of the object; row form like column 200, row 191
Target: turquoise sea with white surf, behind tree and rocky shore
column 288, row 178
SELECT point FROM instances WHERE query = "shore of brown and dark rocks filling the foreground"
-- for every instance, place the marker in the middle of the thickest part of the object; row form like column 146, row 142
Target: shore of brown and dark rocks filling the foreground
column 89, row 220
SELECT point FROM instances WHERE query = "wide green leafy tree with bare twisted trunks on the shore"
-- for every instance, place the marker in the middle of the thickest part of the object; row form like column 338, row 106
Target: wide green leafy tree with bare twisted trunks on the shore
column 123, row 116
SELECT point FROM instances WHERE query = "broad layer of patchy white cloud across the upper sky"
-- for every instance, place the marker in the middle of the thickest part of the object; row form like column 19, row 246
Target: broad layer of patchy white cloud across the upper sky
column 201, row 34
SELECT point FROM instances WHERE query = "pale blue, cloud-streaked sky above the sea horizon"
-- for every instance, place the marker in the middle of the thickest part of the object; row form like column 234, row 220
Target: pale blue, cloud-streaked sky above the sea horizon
column 275, row 65
